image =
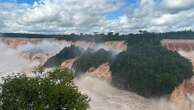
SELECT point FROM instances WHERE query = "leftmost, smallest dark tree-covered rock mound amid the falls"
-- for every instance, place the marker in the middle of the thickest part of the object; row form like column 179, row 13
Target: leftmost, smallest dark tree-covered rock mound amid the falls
column 65, row 54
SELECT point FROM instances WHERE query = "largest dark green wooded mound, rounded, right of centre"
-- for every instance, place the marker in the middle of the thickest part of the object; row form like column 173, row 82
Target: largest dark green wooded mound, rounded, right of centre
column 149, row 70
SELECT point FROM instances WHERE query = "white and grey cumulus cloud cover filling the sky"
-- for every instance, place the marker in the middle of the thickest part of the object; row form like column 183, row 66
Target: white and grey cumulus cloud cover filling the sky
column 88, row 16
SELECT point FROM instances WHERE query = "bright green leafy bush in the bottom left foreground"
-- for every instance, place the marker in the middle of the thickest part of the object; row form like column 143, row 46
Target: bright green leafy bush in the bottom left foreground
column 53, row 92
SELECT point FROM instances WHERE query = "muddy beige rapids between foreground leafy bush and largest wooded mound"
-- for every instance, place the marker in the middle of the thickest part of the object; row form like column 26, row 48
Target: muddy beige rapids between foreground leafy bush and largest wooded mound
column 105, row 97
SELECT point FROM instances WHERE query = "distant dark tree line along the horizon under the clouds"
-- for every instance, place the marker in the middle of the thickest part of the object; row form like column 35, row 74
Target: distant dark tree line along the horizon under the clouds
column 110, row 36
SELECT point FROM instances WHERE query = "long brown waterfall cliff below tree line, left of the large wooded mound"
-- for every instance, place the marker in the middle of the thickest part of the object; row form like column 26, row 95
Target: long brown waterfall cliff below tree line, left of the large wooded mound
column 40, row 50
